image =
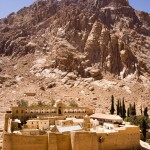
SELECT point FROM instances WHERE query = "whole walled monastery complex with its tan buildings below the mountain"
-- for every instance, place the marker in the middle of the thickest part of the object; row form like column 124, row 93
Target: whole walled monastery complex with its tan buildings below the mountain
column 67, row 128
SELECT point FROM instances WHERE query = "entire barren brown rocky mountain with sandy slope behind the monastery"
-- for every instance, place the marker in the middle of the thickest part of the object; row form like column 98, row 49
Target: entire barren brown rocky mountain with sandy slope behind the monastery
column 84, row 50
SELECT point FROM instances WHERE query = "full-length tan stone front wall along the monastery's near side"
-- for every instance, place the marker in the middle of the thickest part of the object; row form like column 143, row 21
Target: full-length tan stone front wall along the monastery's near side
column 122, row 140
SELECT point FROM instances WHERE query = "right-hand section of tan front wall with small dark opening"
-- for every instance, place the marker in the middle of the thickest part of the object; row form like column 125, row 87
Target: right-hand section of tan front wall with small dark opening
column 123, row 140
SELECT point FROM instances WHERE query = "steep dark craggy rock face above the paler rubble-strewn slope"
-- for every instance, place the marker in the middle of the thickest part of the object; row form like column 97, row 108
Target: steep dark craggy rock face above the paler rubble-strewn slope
column 106, row 35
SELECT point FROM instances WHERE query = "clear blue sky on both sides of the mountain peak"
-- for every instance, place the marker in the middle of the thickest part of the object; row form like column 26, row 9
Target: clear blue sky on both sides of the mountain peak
column 8, row 6
